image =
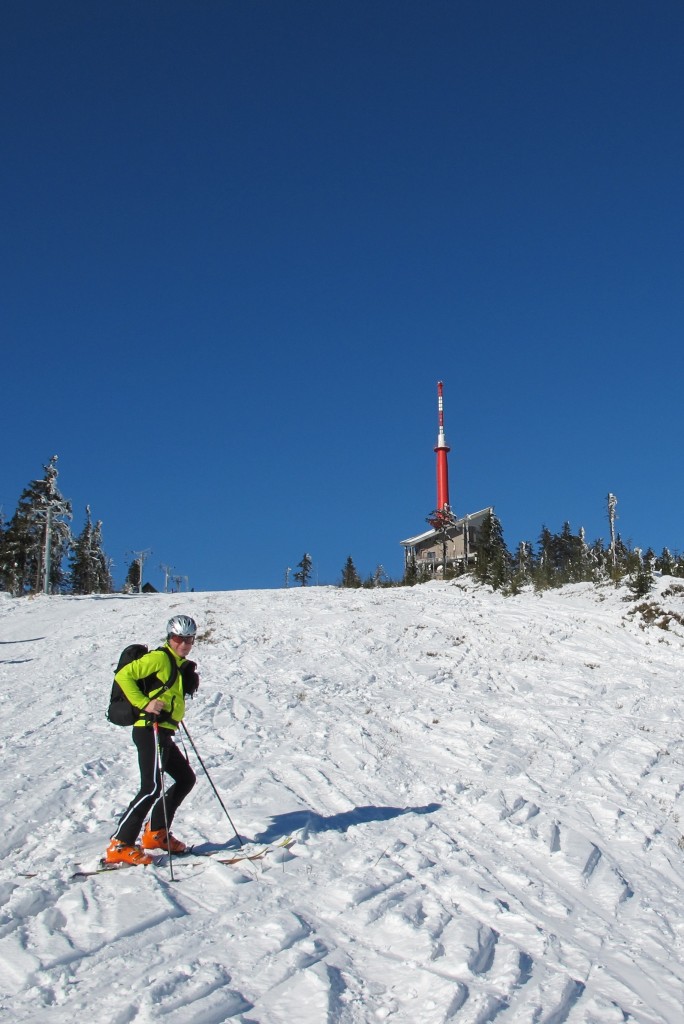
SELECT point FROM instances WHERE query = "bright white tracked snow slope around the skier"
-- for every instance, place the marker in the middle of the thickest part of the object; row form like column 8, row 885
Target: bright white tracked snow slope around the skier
column 486, row 792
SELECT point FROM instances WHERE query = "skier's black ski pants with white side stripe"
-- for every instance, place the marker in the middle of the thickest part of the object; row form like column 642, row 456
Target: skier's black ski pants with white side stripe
column 175, row 763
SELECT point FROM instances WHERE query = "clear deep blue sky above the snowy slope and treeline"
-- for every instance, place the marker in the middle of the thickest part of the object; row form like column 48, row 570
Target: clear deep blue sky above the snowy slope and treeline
column 242, row 242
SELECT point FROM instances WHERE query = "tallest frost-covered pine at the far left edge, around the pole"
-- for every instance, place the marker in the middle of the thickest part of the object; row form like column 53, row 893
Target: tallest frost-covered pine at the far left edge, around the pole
column 36, row 535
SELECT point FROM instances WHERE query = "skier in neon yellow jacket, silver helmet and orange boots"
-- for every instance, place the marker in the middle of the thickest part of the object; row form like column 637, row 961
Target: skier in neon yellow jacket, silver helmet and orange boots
column 166, row 712
